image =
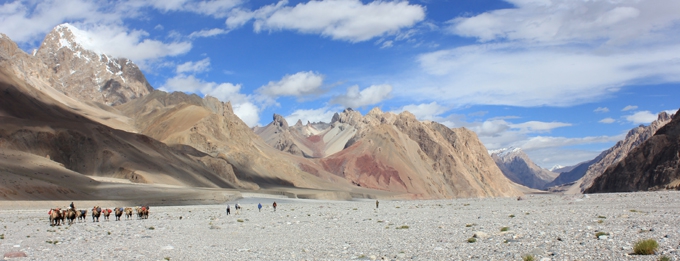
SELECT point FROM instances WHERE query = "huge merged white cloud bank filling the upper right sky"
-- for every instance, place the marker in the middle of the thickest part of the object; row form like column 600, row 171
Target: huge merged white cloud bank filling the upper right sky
column 552, row 53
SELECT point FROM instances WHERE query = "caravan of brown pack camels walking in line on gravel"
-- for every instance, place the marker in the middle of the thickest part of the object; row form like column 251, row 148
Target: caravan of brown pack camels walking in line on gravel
column 59, row 216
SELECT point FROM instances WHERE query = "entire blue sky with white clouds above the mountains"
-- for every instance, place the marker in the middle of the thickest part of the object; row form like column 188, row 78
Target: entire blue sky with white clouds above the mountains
column 561, row 79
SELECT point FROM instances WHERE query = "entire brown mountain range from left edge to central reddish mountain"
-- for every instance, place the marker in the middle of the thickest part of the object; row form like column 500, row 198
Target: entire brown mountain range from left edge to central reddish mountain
column 96, row 116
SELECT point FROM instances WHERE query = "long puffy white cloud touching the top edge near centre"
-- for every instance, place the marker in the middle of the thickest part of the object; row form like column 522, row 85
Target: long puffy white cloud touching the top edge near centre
column 349, row 20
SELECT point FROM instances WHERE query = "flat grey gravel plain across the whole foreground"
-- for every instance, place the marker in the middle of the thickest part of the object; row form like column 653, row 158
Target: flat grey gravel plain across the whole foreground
column 549, row 227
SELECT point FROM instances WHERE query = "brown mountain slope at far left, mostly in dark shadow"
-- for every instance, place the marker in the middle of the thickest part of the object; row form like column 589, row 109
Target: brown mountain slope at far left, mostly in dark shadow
column 40, row 123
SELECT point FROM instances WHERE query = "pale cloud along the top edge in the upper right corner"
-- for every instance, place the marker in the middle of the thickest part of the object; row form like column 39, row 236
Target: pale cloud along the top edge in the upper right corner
column 560, row 21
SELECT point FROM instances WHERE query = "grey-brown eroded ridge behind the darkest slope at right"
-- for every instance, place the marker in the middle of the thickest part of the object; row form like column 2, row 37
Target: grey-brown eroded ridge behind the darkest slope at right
column 618, row 152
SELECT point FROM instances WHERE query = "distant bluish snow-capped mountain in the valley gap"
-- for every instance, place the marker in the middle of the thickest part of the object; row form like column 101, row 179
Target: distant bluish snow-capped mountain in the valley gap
column 518, row 167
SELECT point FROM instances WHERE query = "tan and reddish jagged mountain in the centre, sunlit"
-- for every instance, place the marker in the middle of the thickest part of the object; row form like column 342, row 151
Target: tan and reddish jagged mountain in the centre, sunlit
column 398, row 153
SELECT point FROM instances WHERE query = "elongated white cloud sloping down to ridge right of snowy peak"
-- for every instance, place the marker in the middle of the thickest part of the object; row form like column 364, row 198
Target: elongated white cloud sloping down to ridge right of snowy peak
column 243, row 107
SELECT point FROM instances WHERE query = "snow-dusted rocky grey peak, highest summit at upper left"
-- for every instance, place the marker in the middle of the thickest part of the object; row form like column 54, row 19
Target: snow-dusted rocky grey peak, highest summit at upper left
column 88, row 75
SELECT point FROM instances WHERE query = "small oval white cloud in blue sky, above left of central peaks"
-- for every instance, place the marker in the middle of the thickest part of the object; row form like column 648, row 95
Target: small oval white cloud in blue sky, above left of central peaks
column 299, row 84
